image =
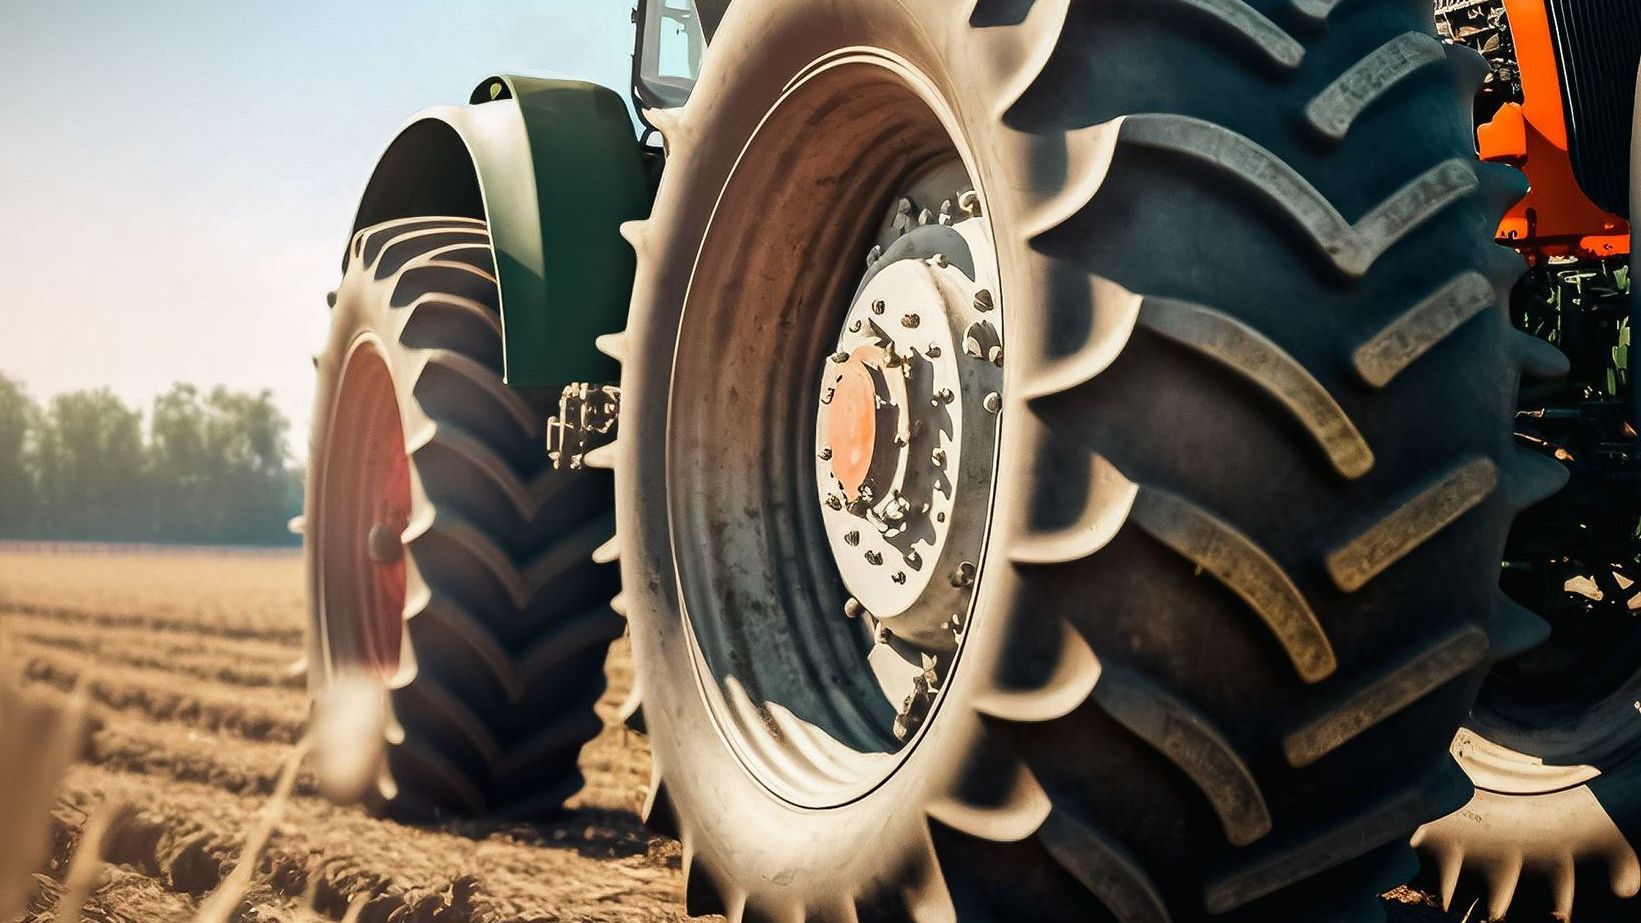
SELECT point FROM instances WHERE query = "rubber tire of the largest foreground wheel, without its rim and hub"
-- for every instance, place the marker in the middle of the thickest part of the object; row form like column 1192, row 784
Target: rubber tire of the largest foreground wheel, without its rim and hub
column 1289, row 627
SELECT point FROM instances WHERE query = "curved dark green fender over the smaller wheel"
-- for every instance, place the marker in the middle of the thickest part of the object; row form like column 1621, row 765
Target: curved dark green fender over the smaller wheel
column 555, row 168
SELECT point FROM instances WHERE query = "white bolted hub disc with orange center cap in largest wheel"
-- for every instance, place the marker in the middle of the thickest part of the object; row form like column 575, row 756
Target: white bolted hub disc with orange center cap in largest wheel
column 907, row 426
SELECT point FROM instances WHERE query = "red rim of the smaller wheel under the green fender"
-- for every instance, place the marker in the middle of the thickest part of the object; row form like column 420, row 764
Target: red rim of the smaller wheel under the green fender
column 367, row 507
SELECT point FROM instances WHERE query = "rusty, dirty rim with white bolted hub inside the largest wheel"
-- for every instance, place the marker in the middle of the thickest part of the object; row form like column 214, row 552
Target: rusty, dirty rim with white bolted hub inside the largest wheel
column 857, row 479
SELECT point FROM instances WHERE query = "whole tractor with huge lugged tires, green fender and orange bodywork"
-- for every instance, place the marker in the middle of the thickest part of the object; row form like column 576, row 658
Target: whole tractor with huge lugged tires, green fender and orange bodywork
column 1053, row 459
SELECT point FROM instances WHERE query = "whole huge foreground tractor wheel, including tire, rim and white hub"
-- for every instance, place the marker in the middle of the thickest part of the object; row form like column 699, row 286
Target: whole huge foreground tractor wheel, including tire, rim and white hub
column 1125, row 544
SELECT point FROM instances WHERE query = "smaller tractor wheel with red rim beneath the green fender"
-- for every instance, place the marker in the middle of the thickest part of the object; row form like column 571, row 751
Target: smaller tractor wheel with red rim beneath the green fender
column 446, row 556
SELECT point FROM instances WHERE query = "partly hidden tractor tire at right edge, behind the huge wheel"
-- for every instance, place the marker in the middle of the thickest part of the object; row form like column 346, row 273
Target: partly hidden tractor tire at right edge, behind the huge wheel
column 1555, row 740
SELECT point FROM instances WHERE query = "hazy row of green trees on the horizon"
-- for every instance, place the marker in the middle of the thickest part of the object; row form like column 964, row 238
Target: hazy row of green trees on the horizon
column 208, row 469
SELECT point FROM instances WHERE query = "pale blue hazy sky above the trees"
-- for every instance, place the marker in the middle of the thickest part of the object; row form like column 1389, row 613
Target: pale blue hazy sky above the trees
column 178, row 177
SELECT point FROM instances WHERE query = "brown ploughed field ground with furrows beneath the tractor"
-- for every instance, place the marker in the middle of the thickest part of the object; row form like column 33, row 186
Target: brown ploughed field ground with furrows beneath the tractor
column 198, row 709
